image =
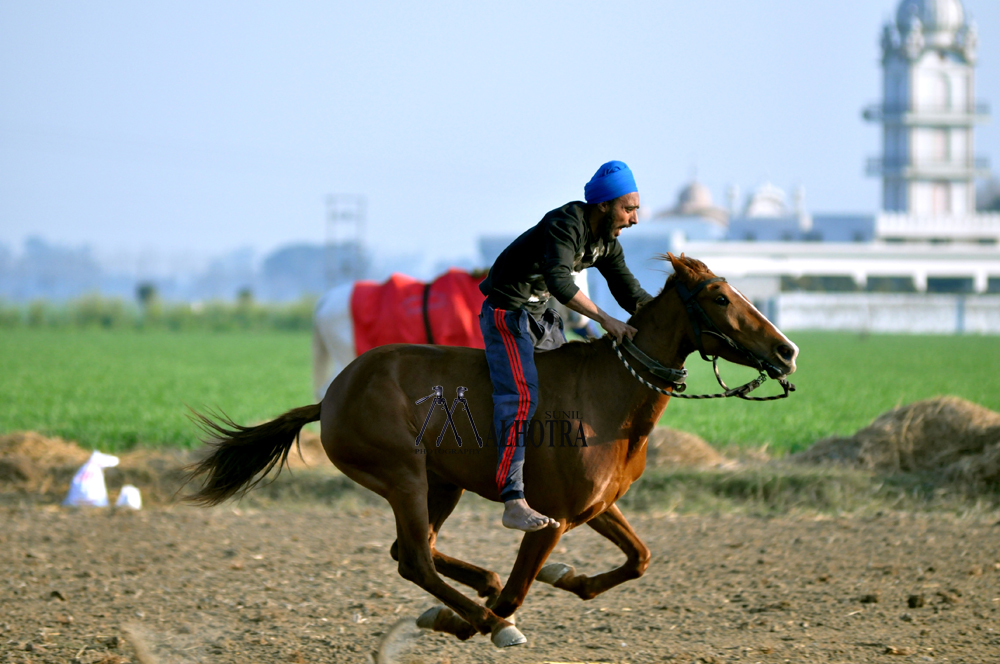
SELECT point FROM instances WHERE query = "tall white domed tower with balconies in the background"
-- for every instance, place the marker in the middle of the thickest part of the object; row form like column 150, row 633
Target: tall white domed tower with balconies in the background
column 928, row 111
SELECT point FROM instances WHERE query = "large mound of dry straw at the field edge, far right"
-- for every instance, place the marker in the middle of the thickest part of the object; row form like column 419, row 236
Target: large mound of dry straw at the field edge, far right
column 946, row 435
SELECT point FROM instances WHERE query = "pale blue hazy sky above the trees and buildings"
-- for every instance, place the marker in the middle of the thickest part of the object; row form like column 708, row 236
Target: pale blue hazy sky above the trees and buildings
column 198, row 128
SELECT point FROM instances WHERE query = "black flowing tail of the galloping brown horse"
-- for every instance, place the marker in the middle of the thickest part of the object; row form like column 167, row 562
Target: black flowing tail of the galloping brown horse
column 242, row 453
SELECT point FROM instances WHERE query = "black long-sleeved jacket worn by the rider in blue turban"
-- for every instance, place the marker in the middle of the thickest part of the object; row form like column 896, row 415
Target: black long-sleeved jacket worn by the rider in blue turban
column 540, row 263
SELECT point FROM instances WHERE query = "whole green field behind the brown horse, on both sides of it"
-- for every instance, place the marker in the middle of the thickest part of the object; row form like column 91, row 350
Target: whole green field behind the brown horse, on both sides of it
column 118, row 389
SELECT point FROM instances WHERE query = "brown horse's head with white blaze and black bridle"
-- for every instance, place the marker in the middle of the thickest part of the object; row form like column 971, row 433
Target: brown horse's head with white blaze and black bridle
column 718, row 313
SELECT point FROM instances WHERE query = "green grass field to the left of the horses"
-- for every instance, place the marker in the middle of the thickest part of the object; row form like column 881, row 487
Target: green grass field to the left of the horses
column 119, row 389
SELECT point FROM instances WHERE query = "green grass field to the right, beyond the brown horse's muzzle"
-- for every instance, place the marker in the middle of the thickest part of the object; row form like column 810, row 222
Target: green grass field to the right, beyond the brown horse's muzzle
column 844, row 381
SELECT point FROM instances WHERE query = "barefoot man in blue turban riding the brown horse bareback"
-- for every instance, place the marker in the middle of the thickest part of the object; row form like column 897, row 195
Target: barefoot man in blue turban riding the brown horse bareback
column 515, row 322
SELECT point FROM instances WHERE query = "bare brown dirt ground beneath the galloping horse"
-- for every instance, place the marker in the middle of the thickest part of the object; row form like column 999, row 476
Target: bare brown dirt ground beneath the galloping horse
column 316, row 584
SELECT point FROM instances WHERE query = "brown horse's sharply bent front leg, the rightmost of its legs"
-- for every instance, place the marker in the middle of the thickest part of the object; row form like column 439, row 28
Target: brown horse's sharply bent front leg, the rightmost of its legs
column 612, row 525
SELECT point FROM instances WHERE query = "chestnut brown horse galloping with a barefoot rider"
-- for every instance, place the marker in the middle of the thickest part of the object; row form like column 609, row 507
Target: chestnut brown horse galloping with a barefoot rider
column 369, row 422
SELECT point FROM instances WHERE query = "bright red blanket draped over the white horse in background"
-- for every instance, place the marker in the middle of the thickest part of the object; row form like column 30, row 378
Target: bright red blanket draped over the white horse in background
column 392, row 312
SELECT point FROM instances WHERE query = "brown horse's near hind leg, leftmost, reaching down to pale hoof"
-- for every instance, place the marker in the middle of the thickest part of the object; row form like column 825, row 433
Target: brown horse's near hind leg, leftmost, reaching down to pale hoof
column 409, row 504
